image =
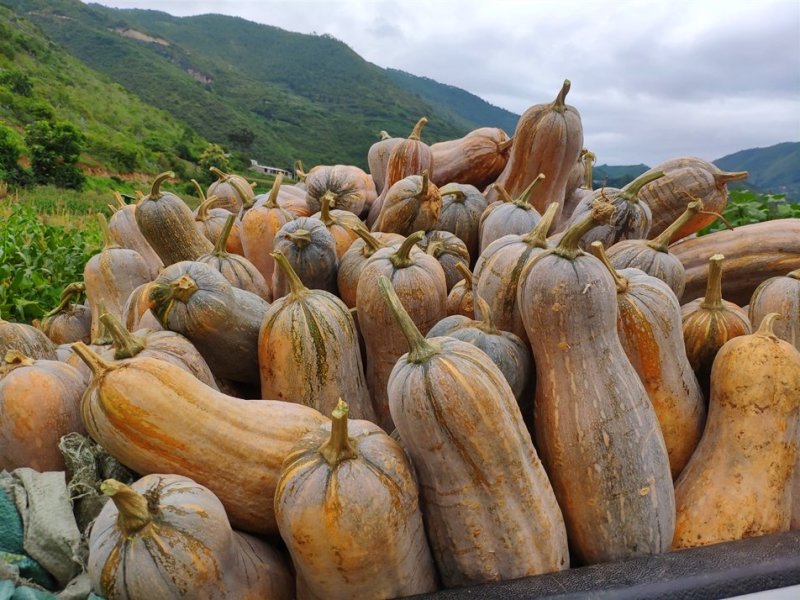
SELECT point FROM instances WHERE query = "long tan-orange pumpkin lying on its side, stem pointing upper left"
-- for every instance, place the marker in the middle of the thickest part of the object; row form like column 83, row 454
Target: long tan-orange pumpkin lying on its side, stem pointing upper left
column 176, row 415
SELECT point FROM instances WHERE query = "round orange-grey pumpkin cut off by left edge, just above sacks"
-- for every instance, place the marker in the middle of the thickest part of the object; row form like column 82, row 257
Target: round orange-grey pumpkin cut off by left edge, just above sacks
column 39, row 403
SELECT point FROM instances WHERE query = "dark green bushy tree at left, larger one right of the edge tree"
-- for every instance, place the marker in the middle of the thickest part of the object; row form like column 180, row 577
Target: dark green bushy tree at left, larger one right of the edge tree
column 54, row 151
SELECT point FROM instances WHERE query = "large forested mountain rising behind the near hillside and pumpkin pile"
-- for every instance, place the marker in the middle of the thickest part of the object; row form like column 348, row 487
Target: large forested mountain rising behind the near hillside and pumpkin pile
column 271, row 94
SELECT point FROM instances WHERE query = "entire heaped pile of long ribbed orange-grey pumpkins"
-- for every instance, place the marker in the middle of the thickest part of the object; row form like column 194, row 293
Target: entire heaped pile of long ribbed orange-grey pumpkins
column 464, row 366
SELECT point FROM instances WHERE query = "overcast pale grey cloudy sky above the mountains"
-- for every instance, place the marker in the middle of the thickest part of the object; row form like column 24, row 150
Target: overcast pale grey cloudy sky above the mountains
column 651, row 79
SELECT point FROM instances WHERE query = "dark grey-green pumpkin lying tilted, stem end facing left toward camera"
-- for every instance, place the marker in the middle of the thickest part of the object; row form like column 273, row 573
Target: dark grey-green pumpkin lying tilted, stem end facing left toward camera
column 220, row 320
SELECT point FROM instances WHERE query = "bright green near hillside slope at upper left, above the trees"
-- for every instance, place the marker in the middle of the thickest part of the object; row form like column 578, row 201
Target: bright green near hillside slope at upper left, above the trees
column 40, row 81
